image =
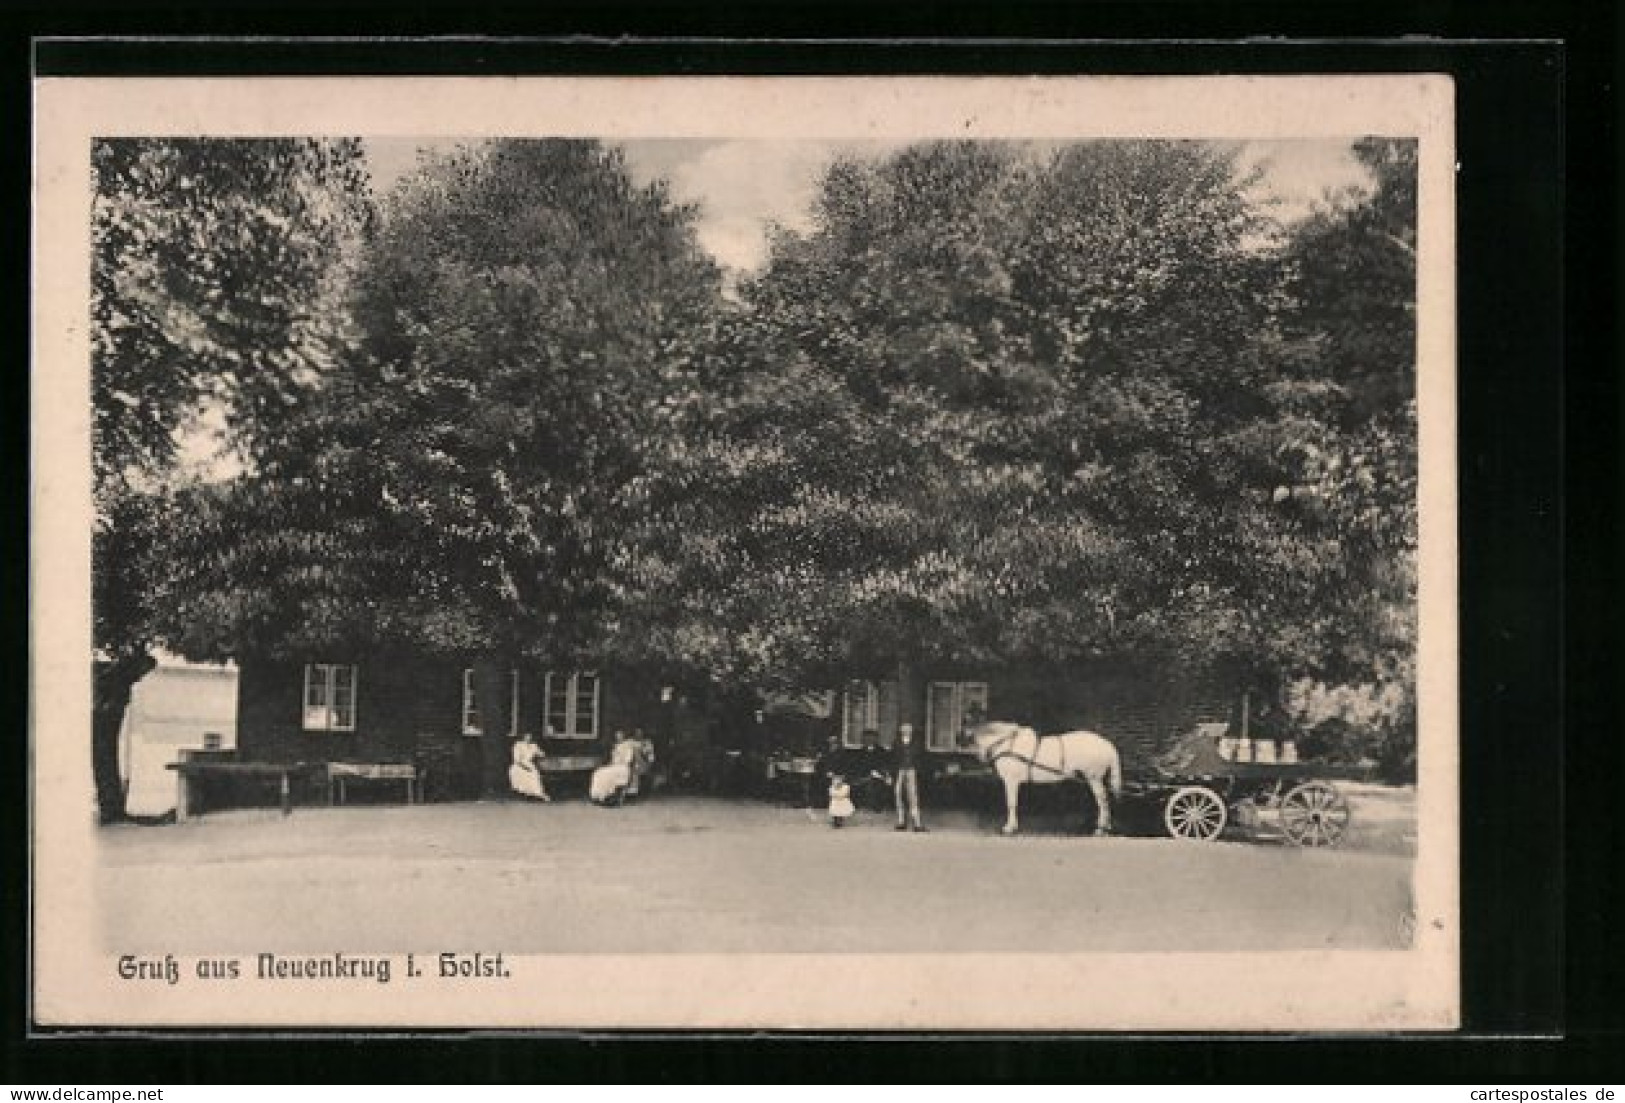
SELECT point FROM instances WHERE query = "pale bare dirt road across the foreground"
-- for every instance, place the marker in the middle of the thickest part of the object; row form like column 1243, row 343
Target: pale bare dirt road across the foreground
column 716, row 876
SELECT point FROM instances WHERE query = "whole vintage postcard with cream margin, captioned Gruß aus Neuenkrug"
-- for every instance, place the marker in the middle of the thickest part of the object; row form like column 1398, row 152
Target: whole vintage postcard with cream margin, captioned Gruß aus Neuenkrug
column 745, row 553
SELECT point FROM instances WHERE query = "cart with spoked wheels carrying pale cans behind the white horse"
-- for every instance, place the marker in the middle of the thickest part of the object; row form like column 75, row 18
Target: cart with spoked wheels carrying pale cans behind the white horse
column 1202, row 790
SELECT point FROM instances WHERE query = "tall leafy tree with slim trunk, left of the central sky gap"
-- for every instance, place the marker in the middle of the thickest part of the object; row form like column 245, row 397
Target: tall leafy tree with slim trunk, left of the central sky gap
column 467, row 480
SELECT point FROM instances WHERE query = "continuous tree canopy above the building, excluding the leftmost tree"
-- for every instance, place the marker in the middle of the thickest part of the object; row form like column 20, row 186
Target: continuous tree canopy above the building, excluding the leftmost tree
column 999, row 404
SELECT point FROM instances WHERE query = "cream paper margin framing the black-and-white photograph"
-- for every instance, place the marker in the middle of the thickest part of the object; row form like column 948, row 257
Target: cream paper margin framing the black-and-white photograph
column 74, row 974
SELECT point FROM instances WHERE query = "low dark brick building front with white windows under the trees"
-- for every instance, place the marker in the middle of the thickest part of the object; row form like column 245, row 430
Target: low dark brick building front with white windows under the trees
column 436, row 714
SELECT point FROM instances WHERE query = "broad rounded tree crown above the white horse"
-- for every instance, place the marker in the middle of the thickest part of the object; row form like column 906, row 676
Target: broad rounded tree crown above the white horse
column 1008, row 405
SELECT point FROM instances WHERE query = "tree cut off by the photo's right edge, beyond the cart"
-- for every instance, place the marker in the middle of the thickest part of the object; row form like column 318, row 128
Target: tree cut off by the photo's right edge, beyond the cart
column 1354, row 285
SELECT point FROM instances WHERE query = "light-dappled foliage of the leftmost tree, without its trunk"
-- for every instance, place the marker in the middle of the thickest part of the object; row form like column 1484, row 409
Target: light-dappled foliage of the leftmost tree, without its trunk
column 212, row 269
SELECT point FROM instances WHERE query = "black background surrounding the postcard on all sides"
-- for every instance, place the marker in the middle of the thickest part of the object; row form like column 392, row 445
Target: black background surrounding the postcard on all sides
column 1517, row 526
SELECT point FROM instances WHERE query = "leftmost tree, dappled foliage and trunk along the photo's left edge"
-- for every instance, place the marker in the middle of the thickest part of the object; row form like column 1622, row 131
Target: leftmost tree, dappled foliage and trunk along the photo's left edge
column 212, row 264
